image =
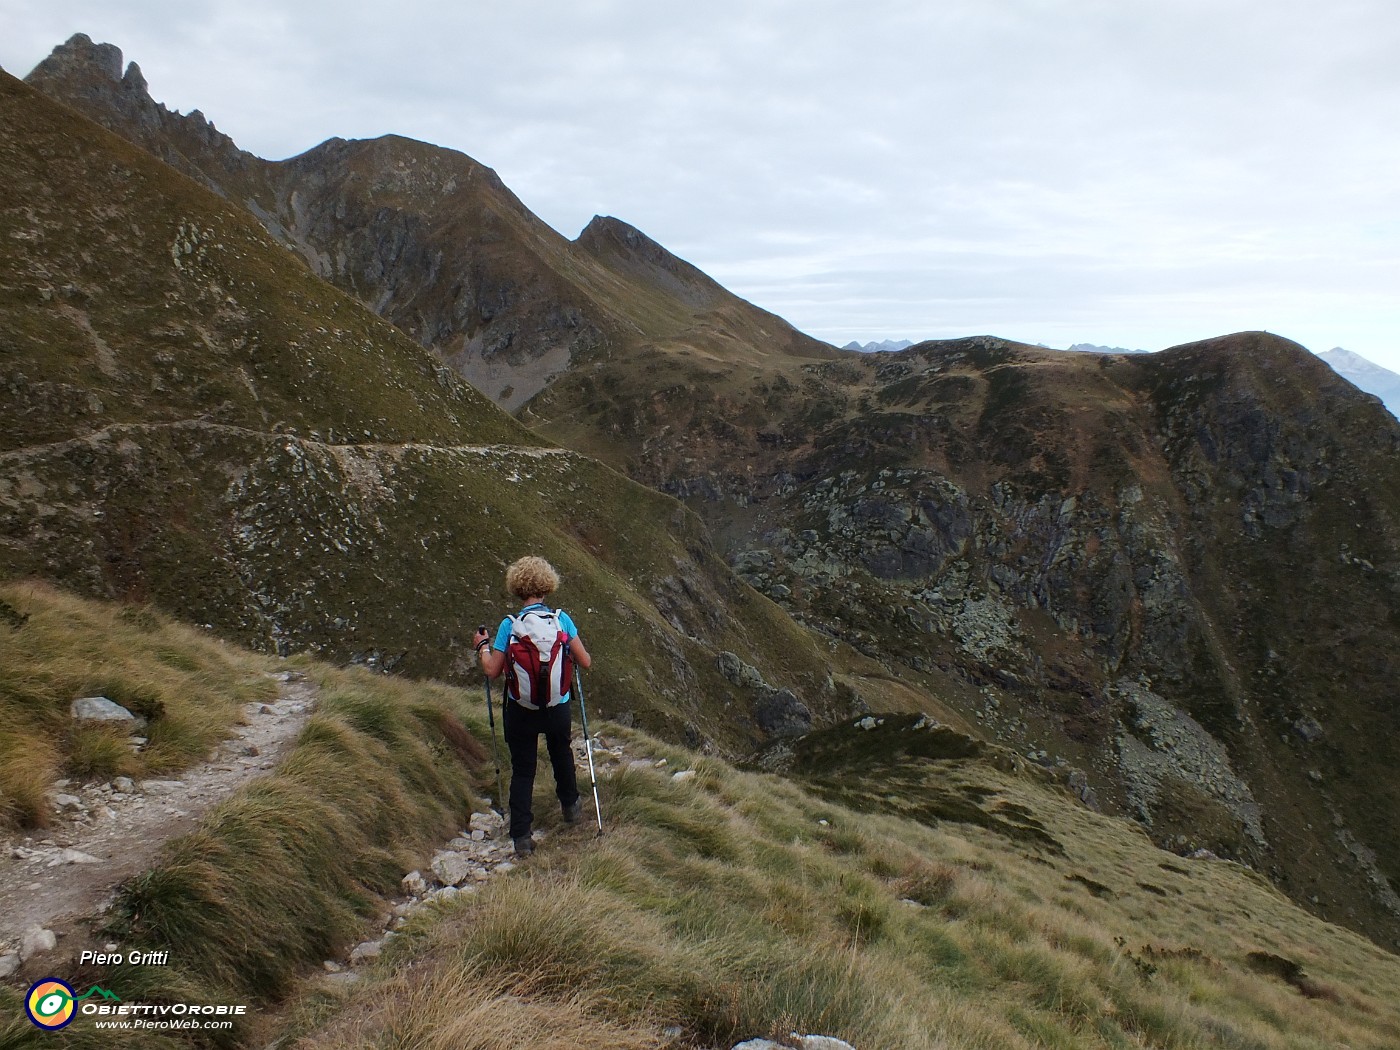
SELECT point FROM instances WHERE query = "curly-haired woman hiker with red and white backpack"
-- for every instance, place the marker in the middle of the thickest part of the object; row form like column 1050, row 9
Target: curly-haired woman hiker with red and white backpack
column 537, row 691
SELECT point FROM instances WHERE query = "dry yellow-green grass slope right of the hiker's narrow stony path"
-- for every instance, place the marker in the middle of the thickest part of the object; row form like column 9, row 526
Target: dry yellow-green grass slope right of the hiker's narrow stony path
column 738, row 905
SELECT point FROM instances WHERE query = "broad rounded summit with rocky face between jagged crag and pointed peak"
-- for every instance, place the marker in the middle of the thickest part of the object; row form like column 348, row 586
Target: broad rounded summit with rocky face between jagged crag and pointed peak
column 436, row 244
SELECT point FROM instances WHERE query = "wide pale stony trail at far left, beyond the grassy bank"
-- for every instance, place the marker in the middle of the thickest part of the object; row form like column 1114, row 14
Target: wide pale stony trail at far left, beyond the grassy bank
column 59, row 878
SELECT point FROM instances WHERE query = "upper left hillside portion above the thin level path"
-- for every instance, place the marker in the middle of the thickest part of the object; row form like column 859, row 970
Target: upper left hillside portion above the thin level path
column 155, row 302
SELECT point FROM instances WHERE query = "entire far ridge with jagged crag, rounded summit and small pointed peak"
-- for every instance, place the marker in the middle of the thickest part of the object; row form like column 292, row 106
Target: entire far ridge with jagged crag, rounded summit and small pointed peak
column 436, row 244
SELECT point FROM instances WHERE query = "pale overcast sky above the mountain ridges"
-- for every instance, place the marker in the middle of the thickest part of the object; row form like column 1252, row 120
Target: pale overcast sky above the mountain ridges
column 1126, row 173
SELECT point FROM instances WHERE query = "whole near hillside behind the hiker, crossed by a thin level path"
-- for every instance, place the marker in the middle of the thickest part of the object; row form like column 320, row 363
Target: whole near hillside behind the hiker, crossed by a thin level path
column 192, row 419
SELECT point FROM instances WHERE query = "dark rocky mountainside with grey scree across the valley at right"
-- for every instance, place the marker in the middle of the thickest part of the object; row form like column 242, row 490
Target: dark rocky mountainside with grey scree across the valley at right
column 1178, row 573
